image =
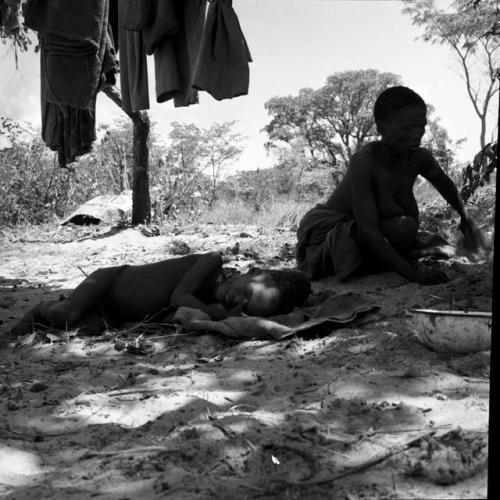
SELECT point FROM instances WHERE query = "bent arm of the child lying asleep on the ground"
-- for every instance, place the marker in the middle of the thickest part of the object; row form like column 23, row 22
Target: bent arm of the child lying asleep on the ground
column 206, row 268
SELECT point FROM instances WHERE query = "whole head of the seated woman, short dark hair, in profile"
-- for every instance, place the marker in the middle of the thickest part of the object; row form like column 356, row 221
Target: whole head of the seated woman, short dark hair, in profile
column 400, row 116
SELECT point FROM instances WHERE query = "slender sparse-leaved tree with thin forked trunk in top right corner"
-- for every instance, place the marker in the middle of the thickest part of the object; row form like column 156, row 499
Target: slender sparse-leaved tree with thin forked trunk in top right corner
column 470, row 29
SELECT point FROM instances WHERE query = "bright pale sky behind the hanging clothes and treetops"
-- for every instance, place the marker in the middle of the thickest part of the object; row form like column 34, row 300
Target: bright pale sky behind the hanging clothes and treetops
column 294, row 44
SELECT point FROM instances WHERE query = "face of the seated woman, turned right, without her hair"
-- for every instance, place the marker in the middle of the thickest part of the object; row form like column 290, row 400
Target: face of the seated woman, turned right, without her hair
column 403, row 129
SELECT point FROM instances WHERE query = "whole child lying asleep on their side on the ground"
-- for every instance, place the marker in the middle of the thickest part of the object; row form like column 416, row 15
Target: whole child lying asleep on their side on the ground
column 112, row 296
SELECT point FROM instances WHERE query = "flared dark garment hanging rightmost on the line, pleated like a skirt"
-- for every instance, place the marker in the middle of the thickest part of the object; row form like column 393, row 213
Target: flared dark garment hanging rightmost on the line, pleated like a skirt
column 222, row 66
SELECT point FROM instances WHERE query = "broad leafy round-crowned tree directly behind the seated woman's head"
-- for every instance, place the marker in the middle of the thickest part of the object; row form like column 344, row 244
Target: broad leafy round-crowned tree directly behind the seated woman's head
column 337, row 120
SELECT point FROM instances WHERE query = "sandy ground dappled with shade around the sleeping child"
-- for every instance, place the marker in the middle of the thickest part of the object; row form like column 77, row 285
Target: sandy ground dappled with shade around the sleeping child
column 365, row 411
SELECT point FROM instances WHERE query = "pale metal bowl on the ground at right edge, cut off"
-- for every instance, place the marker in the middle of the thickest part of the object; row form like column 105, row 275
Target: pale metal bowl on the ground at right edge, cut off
column 453, row 331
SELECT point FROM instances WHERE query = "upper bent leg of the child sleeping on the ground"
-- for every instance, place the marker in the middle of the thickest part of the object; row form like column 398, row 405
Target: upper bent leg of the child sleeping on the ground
column 92, row 289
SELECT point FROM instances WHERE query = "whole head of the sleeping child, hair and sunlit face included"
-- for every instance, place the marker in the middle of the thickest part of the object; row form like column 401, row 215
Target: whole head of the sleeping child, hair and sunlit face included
column 265, row 293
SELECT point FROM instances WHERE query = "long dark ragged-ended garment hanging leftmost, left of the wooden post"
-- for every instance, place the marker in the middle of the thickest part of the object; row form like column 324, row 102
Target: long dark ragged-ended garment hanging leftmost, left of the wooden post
column 75, row 53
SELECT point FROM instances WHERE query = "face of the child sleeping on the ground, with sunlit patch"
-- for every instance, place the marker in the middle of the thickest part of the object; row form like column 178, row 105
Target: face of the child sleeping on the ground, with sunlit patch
column 256, row 295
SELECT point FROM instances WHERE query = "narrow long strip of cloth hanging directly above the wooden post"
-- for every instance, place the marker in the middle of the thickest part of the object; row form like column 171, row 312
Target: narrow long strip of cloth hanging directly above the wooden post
column 133, row 68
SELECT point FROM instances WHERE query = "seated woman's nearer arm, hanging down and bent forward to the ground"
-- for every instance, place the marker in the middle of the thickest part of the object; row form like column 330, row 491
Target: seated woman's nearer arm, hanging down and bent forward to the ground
column 366, row 216
